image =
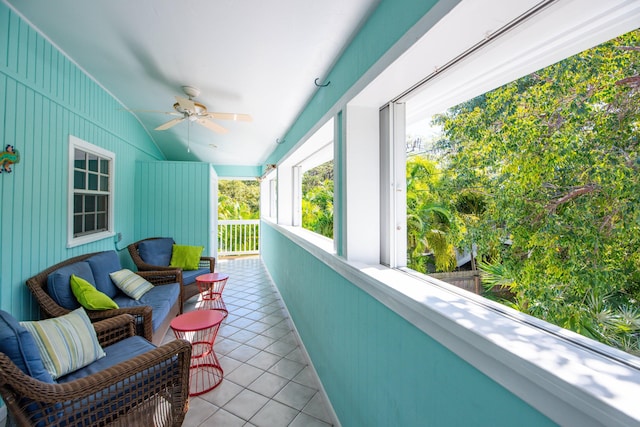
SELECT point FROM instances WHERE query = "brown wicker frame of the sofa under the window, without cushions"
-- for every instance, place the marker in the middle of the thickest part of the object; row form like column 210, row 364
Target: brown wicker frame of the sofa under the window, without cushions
column 143, row 314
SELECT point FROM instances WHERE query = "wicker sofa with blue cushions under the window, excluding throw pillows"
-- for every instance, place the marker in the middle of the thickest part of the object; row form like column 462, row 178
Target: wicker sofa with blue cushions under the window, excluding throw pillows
column 153, row 311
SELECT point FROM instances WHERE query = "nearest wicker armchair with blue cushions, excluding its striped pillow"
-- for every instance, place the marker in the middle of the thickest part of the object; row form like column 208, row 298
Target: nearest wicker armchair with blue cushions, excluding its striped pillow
column 135, row 383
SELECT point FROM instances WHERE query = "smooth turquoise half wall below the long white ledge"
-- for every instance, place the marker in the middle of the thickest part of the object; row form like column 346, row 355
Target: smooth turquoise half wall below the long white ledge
column 378, row 369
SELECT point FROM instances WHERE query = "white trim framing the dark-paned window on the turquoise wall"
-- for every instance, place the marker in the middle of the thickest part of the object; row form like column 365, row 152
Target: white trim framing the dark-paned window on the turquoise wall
column 77, row 143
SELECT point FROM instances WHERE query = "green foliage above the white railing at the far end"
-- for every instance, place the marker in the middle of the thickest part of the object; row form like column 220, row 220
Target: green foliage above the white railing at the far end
column 238, row 199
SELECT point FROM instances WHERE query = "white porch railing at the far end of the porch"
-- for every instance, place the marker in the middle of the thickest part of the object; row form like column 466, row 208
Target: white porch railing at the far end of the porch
column 238, row 237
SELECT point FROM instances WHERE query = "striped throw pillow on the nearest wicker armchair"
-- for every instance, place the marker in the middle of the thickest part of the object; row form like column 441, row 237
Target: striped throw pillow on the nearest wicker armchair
column 66, row 343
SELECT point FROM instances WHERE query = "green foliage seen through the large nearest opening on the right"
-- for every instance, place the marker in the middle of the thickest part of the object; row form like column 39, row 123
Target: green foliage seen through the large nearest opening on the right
column 543, row 175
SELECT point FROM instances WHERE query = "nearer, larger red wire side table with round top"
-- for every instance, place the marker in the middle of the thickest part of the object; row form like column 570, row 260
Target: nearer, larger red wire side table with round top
column 200, row 328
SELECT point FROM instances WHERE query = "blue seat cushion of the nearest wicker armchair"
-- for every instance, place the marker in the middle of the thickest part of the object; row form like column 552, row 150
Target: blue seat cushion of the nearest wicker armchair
column 116, row 353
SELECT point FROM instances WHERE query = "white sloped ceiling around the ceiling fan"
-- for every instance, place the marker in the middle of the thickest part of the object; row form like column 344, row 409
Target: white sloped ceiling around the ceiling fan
column 246, row 56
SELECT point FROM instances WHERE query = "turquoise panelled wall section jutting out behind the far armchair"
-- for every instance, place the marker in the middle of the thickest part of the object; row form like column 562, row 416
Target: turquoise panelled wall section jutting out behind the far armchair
column 172, row 200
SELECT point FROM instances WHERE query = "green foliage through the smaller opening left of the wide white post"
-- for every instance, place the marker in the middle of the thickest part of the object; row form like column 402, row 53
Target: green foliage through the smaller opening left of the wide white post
column 317, row 199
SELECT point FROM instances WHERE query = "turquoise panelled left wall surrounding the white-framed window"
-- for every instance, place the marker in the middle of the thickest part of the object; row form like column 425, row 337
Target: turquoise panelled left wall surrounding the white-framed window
column 44, row 97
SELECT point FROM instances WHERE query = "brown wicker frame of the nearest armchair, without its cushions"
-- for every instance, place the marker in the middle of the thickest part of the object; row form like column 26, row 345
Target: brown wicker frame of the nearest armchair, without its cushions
column 150, row 389
